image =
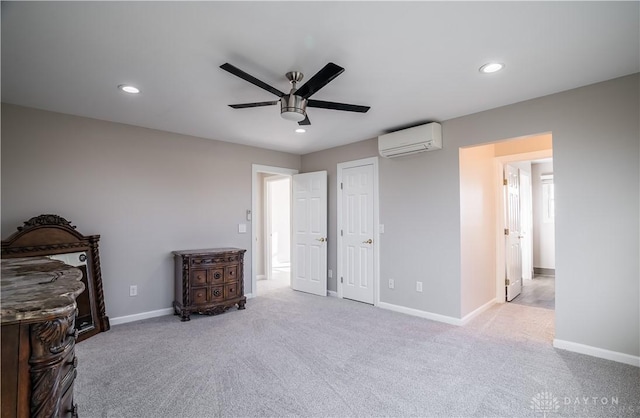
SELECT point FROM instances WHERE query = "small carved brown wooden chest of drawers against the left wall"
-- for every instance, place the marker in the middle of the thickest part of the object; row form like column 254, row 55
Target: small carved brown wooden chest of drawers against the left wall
column 208, row 281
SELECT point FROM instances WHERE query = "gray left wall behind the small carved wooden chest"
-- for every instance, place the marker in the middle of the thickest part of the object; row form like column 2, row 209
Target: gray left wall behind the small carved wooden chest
column 145, row 192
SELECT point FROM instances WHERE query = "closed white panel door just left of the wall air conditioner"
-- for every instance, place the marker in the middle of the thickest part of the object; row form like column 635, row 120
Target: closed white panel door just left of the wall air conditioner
column 357, row 233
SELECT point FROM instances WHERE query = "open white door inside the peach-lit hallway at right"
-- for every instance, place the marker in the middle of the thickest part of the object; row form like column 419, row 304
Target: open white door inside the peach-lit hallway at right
column 513, row 251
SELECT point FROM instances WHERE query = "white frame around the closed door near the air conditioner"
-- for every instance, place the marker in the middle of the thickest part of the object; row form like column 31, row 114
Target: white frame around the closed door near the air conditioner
column 376, row 225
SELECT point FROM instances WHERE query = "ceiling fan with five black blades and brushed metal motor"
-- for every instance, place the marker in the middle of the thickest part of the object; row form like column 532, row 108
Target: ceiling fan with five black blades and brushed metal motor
column 293, row 106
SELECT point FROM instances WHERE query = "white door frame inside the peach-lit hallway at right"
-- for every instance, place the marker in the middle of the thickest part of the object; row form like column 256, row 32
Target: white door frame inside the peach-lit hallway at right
column 499, row 164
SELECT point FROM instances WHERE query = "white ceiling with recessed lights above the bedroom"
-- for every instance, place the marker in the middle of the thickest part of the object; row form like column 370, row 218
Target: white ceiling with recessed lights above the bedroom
column 412, row 62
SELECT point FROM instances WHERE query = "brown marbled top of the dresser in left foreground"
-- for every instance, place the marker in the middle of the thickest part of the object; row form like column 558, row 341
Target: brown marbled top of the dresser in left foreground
column 34, row 288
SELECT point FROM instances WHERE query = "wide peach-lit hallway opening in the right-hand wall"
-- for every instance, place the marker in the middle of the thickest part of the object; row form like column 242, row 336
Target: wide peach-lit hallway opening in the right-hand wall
column 484, row 223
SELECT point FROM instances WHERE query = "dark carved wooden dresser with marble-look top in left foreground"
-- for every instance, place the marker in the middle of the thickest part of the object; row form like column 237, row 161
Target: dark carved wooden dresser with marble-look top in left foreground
column 38, row 337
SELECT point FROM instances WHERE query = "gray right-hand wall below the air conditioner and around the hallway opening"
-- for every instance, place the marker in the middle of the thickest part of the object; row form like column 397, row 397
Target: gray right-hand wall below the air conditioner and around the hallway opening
column 597, row 223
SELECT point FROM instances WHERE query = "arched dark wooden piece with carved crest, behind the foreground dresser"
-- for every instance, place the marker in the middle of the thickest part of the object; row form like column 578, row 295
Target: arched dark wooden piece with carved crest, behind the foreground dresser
column 54, row 236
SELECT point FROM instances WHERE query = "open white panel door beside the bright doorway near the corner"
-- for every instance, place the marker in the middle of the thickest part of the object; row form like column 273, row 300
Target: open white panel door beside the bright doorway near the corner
column 309, row 243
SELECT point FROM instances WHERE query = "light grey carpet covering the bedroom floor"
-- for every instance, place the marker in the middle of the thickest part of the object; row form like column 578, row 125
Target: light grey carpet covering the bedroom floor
column 291, row 354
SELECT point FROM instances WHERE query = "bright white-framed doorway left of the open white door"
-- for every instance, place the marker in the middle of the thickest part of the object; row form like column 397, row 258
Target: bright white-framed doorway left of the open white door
column 263, row 224
